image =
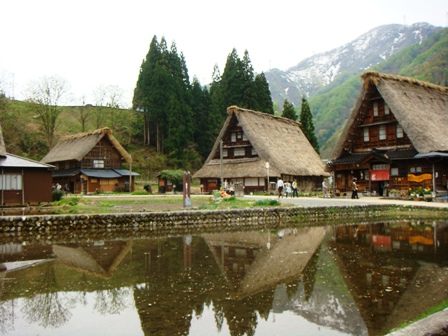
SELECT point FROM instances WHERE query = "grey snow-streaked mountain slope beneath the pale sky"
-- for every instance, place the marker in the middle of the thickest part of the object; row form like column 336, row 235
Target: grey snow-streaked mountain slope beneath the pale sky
column 315, row 73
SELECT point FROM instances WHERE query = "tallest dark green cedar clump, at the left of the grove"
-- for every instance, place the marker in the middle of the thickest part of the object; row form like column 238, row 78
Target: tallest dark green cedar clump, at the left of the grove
column 163, row 93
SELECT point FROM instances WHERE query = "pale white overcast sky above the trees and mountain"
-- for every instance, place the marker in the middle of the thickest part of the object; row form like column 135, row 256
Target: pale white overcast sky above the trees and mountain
column 103, row 42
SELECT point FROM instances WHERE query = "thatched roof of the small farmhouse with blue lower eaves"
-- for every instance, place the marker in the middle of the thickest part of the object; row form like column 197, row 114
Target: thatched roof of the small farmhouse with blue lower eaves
column 75, row 147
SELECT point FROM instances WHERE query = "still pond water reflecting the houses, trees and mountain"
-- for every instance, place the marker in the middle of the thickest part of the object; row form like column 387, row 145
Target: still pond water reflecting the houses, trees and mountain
column 323, row 280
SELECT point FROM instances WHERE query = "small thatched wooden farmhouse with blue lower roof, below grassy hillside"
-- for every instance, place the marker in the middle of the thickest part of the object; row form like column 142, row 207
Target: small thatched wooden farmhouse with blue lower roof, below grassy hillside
column 90, row 162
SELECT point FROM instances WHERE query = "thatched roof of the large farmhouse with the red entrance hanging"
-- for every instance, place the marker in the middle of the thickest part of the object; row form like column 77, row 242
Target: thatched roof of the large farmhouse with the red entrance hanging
column 420, row 107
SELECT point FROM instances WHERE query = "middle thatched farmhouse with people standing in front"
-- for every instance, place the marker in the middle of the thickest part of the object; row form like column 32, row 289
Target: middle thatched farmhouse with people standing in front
column 258, row 147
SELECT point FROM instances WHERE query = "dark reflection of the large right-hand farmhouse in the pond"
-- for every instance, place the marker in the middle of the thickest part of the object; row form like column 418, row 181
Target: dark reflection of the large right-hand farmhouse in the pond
column 390, row 271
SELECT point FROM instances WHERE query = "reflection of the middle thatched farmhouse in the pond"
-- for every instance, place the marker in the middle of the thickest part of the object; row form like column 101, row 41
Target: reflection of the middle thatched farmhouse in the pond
column 255, row 263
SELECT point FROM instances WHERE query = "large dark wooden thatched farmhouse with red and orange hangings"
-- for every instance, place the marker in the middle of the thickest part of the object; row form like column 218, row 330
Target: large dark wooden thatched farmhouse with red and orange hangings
column 395, row 138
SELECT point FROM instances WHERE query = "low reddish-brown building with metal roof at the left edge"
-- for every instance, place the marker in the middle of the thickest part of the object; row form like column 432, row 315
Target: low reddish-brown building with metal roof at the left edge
column 23, row 181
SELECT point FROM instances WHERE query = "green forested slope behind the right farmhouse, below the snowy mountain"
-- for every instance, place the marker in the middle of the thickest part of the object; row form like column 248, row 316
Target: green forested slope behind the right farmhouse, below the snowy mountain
column 427, row 61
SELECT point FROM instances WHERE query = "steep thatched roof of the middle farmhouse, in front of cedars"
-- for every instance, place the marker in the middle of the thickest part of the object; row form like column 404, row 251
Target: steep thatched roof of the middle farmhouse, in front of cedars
column 277, row 140
